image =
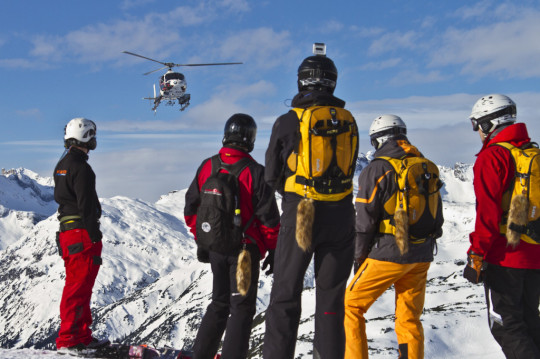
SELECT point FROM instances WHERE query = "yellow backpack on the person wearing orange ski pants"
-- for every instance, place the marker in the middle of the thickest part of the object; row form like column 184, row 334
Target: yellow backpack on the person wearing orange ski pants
column 412, row 209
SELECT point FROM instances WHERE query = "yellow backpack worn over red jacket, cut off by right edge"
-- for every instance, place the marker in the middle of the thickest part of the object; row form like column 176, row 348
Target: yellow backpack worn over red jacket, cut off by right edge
column 521, row 203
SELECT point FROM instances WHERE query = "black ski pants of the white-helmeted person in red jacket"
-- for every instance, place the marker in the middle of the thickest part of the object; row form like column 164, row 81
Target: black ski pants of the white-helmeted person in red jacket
column 512, row 297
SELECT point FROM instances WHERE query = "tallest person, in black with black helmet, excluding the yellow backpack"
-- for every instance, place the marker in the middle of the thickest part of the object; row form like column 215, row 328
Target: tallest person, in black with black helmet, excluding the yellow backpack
column 332, row 239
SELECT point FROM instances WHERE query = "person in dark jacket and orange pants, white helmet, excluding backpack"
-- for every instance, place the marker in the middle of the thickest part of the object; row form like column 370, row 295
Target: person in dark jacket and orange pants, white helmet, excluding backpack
column 379, row 259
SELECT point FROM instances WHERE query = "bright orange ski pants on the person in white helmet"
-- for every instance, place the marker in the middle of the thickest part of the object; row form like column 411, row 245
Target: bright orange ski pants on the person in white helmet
column 369, row 283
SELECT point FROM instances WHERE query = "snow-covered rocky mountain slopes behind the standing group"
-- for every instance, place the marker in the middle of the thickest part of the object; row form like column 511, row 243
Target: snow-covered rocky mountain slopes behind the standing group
column 151, row 289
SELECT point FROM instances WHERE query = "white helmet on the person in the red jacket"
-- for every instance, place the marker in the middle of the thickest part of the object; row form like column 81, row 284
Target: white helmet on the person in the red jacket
column 491, row 111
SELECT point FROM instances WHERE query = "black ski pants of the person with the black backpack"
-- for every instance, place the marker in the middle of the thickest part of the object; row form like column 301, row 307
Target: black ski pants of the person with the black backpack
column 228, row 310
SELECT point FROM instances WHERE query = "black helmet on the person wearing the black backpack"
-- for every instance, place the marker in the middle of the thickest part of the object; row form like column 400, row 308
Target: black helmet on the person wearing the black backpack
column 240, row 131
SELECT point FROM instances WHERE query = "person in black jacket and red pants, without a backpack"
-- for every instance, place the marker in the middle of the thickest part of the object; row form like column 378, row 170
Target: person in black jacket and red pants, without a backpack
column 79, row 238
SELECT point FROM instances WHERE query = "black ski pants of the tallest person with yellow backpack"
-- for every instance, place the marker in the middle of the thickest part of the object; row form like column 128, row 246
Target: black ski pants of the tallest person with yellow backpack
column 333, row 250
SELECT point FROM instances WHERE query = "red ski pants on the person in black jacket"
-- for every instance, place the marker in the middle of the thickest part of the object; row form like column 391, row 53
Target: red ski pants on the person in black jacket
column 82, row 259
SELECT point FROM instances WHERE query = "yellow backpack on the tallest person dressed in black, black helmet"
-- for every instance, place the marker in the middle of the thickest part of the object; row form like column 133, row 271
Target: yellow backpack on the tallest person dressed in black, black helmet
column 322, row 165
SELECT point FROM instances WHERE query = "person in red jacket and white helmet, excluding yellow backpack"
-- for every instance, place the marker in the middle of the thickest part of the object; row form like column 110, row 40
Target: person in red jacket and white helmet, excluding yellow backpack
column 511, row 275
